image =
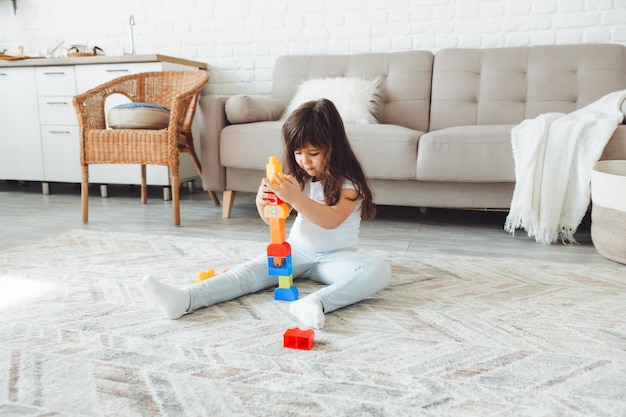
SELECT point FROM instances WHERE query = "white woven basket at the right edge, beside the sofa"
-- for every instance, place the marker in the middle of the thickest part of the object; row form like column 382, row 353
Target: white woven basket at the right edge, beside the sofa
column 608, row 213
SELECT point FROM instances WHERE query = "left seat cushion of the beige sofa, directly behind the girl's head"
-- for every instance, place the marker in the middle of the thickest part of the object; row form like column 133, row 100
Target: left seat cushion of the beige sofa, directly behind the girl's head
column 385, row 151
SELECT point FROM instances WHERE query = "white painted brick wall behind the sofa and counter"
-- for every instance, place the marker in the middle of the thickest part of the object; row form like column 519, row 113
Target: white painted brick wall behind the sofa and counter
column 240, row 39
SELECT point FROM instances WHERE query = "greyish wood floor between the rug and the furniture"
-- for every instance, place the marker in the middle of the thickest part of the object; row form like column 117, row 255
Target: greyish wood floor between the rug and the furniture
column 27, row 215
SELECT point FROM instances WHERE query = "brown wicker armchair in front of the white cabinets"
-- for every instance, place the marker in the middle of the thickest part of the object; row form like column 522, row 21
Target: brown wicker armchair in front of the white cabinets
column 177, row 90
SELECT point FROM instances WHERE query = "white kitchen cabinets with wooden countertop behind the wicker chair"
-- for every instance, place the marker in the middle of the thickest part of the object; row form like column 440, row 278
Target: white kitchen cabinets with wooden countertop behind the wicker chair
column 40, row 139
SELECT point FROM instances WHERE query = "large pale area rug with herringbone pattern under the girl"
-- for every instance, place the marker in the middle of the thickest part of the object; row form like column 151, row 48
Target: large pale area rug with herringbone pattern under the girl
column 451, row 336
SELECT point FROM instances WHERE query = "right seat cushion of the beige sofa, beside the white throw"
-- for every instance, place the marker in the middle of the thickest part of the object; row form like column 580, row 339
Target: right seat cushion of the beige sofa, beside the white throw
column 467, row 154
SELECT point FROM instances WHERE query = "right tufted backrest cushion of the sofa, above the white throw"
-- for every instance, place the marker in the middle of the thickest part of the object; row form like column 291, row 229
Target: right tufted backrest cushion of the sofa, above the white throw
column 507, row 85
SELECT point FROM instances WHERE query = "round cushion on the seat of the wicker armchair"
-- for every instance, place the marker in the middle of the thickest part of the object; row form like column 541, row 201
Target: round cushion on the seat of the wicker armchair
column 138, row 116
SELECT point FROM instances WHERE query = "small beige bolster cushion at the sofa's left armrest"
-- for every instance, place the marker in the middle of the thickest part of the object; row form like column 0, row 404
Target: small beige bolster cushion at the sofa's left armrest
column 242, row 108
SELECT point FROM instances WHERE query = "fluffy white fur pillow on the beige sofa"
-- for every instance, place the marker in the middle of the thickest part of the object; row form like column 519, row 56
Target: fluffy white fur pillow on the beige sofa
column 356, row 99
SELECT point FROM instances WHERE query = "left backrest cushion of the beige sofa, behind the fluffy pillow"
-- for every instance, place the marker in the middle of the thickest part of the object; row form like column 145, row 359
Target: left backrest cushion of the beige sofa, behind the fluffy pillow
column 405, row 86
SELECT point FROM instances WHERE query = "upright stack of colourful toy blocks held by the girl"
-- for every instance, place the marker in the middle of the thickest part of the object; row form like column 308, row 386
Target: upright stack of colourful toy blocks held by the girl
column 279, row 251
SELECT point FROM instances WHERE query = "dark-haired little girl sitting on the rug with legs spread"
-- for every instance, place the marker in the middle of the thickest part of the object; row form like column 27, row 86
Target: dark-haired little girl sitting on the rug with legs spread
column 328, row 189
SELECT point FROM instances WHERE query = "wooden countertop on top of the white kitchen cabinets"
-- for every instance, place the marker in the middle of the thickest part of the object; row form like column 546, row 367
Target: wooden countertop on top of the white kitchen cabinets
column 101, row 59
